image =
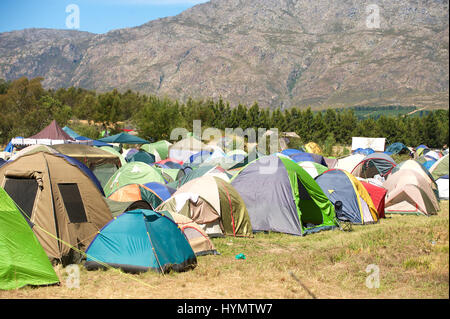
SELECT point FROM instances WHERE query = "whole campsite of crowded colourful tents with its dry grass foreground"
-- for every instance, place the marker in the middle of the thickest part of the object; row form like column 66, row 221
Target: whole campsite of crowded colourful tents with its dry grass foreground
column 113, row 218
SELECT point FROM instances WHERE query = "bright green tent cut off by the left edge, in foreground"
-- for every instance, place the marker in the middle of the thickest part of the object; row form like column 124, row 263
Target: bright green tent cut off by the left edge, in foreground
column 23, row 261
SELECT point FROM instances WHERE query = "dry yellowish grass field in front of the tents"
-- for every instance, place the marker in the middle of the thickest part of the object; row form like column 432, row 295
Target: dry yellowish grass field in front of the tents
column 411, row 253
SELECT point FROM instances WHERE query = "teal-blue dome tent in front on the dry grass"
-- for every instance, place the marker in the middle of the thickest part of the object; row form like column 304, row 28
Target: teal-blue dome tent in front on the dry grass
column 141, row 240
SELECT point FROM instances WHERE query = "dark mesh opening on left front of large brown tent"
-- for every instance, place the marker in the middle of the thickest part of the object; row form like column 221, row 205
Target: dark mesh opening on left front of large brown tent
column 23, row 191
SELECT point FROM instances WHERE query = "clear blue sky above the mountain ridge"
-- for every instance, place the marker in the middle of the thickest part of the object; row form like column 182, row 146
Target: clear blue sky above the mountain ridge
column 97, row 16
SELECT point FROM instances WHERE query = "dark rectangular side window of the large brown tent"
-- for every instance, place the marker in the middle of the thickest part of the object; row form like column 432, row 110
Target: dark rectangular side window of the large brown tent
column 73, row 202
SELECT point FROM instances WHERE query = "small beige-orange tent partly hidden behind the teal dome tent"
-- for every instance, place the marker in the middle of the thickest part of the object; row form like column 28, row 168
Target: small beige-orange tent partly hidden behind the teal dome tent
column 198, row 239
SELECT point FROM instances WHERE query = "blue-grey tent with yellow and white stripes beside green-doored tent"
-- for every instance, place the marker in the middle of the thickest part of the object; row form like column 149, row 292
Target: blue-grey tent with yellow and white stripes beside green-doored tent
column 357, row 205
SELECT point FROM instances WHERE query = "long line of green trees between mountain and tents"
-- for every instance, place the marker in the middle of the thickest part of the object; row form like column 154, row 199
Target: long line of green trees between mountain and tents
column 26, row 108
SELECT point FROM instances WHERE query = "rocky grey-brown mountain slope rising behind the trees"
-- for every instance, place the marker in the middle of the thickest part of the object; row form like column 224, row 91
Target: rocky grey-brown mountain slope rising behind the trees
column 317, row 53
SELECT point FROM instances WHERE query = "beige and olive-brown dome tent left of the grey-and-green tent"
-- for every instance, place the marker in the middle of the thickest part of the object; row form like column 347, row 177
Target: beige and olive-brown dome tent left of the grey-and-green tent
column 213, row 204
